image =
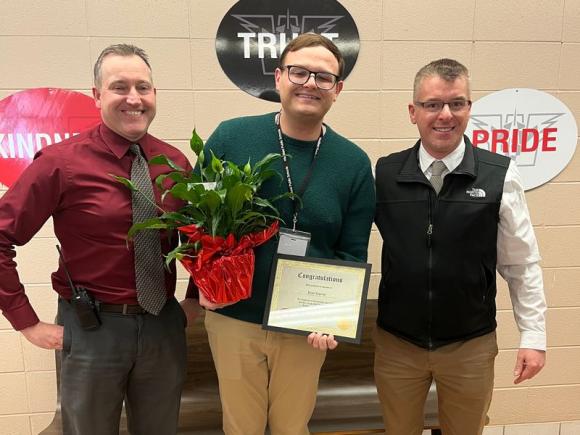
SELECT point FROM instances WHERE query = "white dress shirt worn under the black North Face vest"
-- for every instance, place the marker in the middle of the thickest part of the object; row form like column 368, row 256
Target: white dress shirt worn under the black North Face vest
column 517, row 251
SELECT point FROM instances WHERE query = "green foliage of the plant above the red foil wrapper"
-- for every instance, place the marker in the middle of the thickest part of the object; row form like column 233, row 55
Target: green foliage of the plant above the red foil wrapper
column 229, row 207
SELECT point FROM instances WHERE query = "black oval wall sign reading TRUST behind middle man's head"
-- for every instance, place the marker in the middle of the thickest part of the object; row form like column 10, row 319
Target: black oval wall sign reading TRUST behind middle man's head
column 253, row 34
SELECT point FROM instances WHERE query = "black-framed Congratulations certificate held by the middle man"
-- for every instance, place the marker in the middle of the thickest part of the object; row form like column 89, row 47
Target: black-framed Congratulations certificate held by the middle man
column 309, row 294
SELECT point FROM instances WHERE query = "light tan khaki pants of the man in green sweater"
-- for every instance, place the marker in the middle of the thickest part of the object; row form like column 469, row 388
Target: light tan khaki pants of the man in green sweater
column 265, row 377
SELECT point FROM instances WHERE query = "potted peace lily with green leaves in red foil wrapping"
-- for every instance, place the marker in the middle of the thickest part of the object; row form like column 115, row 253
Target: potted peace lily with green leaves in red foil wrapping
column 222, row 220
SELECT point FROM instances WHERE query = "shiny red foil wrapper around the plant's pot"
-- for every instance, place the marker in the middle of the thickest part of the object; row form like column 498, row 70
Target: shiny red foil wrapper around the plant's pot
column 223, row 268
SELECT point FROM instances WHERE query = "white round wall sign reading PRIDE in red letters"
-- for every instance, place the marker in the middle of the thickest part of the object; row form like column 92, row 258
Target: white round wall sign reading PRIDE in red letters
column 533, row 128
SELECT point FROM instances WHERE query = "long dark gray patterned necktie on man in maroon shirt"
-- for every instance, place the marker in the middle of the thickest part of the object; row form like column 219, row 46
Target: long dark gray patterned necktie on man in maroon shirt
column 149, row 274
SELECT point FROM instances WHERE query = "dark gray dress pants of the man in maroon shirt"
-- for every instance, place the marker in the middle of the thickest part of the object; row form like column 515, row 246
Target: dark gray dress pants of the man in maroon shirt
column 137, row 358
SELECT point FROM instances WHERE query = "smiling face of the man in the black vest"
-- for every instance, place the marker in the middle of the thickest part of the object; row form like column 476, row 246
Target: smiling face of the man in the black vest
column 440, row 132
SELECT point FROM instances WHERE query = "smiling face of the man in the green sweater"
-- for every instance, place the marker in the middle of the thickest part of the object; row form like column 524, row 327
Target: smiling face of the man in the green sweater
column 306, row 101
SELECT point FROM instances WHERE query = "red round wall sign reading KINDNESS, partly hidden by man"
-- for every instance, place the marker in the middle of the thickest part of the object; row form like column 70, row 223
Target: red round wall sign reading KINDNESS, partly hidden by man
column 36, row 118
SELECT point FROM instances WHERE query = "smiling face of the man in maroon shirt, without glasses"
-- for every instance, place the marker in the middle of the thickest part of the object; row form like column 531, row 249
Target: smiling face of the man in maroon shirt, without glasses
column 126, row 96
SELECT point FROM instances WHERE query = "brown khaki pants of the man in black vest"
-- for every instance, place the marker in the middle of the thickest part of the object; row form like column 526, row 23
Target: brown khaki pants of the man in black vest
column 463, row 373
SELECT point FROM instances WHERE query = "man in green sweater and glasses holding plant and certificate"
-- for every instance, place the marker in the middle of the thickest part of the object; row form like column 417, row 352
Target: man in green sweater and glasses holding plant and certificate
column 271, row 378
